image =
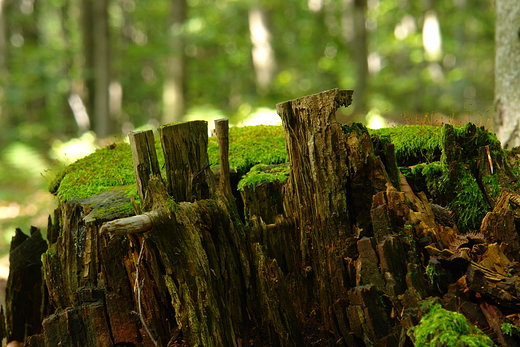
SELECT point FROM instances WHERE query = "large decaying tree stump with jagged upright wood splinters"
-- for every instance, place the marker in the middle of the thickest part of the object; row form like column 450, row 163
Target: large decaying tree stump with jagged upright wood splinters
column 346, row 252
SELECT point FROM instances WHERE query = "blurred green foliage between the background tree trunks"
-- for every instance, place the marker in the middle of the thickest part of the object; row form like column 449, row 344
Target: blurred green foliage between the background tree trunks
column 313, row 48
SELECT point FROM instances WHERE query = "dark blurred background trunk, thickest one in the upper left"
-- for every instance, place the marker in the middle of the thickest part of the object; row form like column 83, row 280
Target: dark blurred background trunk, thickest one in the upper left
column 96, row 48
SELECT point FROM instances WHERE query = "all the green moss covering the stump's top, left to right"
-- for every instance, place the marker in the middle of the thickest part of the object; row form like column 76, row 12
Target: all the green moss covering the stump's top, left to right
column 425, row 155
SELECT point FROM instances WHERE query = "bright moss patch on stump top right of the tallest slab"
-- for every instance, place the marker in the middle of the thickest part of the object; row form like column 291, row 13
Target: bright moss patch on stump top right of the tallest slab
column 414, row 143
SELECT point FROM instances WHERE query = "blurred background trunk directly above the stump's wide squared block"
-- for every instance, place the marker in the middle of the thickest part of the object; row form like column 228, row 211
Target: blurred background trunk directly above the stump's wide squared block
column 174, row 91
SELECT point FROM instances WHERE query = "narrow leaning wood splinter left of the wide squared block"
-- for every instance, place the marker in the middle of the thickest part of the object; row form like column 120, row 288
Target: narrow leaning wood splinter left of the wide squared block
column 144, row 159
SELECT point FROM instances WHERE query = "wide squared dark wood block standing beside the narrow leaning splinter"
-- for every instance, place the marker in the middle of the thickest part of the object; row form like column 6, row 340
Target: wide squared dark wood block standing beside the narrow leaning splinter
column 186, row 158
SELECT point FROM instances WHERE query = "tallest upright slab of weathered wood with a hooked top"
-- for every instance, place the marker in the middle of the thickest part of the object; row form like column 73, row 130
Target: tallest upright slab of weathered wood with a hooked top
column 316, row 196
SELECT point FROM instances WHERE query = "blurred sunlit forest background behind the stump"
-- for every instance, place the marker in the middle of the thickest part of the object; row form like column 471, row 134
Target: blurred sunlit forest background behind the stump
column 74, row 72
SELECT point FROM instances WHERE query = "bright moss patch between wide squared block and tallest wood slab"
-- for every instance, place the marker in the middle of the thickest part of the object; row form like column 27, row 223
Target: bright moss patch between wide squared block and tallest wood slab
column 251, row 145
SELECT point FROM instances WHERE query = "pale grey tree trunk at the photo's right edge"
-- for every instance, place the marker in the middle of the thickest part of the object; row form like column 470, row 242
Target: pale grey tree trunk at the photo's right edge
column 507, row 73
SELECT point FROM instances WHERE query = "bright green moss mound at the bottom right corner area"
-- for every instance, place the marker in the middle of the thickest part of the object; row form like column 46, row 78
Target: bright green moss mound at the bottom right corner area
column 440, row 327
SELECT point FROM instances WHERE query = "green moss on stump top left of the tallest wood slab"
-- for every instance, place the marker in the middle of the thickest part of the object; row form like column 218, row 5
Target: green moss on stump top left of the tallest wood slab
column 110, row 168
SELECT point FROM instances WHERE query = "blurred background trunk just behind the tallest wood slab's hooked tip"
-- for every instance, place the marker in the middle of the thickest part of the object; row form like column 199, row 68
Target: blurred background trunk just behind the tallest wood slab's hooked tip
column 355, row 34
